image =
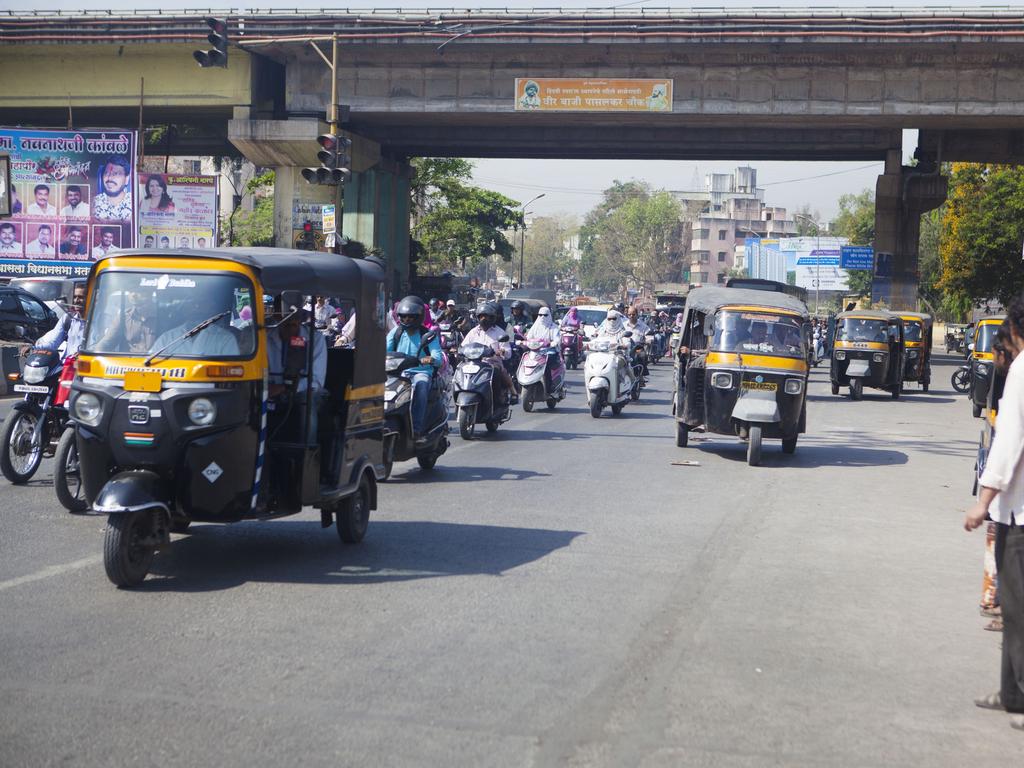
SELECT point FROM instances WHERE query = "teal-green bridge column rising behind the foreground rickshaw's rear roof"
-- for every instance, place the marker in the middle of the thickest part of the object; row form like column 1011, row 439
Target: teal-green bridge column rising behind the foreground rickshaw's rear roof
column 376, row 214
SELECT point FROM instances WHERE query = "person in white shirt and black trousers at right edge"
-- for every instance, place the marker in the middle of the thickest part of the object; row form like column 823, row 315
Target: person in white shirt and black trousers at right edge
column 1002, row 498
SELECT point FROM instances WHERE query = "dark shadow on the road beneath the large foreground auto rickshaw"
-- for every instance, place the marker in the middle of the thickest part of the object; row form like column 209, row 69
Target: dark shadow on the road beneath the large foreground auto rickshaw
column 221, row 558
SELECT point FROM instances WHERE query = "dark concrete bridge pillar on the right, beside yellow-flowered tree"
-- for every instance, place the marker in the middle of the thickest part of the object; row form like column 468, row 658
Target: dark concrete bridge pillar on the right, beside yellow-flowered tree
column 903, row 194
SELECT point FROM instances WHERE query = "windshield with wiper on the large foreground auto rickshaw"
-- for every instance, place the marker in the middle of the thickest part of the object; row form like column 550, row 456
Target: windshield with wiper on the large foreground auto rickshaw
column 139, row 314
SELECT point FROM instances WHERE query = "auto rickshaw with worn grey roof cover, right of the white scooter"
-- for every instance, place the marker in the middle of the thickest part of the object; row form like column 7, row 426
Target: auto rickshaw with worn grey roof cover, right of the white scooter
column 743, row 367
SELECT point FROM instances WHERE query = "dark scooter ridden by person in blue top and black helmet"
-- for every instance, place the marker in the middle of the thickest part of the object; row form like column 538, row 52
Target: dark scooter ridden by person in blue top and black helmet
column 400, row 443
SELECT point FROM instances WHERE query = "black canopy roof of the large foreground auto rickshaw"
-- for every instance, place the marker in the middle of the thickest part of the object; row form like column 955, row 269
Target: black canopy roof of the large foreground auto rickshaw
column 312, row 273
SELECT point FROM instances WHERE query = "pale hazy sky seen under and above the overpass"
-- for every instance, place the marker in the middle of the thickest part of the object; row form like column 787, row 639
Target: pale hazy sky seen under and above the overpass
column 574, row 187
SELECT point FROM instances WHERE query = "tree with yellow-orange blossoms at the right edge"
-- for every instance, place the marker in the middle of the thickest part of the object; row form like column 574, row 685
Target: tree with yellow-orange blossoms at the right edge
column 983, row 232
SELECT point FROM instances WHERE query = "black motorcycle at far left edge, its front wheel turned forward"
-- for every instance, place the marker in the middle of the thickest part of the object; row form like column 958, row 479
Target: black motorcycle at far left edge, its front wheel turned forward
column 35, row 425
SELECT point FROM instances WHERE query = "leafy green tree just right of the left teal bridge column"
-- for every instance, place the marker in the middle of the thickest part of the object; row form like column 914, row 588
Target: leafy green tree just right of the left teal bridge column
column 457, row 226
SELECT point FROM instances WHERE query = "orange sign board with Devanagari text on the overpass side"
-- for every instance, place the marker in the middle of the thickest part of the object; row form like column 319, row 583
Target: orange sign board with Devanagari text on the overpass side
column 557, row 95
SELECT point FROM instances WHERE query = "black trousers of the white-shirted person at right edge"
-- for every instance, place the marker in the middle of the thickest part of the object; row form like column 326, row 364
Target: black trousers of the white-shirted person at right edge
column 1010, row 566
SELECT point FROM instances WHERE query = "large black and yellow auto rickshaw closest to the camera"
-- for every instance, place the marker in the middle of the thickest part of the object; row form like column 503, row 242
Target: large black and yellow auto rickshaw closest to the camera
column 195, row 402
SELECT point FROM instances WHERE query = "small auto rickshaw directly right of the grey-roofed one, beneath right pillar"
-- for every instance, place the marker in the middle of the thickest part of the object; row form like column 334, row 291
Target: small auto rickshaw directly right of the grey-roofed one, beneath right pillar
column 869, row 352
